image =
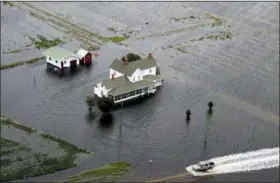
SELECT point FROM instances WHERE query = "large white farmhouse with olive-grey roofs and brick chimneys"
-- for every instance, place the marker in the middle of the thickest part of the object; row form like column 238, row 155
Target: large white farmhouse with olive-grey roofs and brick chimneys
column 130, row 80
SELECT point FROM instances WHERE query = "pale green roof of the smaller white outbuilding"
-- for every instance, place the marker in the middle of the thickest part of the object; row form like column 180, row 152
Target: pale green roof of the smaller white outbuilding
column 58, row 53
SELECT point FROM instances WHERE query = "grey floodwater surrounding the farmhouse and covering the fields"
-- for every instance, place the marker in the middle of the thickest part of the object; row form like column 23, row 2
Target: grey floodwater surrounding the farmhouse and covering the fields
column 240, row 76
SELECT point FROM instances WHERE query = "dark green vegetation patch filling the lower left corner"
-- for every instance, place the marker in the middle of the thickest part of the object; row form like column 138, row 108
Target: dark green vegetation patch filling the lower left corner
column 34, row 163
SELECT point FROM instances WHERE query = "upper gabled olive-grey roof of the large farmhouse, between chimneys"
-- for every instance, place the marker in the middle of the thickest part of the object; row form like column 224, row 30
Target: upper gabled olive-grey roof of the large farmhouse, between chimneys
column 130, row 68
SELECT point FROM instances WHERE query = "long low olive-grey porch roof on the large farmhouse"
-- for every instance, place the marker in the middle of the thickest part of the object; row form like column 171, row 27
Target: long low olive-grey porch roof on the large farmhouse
column 130, row 87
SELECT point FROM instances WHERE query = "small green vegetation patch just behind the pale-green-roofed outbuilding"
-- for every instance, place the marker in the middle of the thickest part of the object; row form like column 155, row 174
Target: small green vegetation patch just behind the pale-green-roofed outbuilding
column 43, row 42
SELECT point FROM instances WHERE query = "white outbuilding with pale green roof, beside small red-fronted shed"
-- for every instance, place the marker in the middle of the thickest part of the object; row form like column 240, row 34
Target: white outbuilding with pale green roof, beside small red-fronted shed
column 61, row 58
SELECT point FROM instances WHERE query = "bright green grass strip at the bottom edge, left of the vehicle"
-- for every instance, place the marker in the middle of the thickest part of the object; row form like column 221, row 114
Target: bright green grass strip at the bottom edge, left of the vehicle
column 107, row 173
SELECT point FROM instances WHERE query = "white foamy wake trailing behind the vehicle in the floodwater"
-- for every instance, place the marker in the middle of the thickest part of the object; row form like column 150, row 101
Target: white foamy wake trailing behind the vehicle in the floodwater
column 242, row 162
